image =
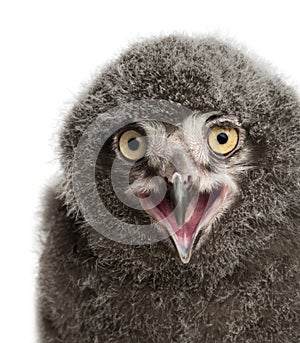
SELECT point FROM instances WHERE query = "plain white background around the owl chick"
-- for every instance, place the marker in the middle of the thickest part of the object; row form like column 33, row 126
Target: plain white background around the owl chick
column 47, row 49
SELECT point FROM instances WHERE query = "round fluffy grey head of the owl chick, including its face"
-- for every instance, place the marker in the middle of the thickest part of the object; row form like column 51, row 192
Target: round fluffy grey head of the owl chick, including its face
column 186, row 145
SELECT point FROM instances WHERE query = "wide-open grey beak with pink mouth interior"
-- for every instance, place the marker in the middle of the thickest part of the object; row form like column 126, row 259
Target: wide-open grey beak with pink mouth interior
column 184, row 212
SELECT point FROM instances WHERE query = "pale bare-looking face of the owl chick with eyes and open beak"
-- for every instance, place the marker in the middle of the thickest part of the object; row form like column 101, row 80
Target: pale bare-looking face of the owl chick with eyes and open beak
column 184, row 176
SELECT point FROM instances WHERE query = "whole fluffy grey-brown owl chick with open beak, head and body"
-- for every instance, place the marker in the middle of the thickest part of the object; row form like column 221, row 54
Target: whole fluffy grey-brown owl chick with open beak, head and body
column 176, row 217
